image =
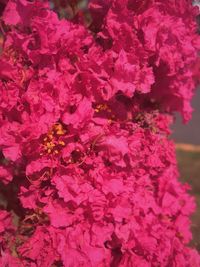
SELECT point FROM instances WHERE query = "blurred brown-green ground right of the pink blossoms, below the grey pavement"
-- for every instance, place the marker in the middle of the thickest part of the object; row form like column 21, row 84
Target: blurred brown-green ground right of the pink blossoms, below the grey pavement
column 189, row 166
